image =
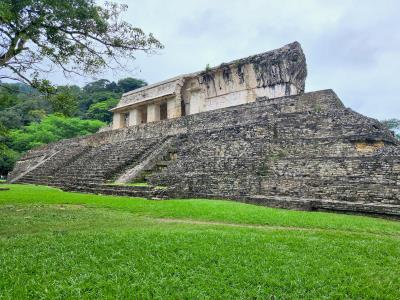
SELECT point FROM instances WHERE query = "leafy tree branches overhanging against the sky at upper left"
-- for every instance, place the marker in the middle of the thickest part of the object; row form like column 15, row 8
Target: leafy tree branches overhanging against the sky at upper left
column 78, row 36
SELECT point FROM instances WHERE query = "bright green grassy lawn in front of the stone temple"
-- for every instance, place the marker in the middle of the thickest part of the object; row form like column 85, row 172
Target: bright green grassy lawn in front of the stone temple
column 58, row 245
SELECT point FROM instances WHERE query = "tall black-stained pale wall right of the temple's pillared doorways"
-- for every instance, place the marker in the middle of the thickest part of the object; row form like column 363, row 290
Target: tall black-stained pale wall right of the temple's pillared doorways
column 277, row 73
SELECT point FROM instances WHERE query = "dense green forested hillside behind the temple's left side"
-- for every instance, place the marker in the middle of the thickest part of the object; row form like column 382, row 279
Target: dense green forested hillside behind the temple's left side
column 29, row 118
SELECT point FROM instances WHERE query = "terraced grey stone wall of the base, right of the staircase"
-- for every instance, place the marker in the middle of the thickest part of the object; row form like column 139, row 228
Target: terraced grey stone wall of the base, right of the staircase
column 311, row 147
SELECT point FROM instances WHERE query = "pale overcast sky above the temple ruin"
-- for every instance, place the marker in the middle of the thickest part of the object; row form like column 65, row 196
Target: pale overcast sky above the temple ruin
column 352, row 47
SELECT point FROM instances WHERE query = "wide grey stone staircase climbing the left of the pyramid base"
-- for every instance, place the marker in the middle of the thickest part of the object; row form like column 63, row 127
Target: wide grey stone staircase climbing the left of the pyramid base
column 92, row 169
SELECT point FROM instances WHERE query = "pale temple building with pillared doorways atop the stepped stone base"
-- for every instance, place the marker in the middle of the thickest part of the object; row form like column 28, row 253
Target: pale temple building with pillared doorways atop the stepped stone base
column 273, row 74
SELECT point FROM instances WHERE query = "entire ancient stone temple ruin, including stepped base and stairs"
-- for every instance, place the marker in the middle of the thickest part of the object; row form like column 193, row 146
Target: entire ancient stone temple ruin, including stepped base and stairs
column 244, row 131
